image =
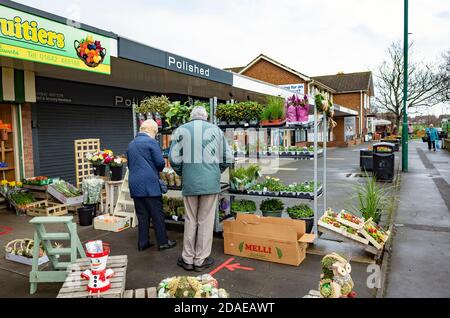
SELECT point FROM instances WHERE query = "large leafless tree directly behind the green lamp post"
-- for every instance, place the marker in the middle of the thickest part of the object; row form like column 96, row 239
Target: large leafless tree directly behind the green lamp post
column 424, row 85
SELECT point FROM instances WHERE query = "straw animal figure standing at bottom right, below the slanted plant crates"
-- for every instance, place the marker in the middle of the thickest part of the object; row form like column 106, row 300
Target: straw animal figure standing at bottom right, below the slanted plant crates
column 335, row 280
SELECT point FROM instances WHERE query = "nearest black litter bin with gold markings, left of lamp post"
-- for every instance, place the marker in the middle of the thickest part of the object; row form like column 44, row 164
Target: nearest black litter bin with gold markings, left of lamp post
column 384, row 161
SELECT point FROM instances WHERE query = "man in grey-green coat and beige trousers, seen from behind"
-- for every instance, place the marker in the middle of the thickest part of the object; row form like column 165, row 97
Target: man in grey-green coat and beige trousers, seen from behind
column 200, row 154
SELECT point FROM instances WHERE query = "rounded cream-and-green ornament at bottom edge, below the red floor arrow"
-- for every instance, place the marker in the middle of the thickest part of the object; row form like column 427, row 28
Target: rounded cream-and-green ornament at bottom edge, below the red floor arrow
column 204, row 286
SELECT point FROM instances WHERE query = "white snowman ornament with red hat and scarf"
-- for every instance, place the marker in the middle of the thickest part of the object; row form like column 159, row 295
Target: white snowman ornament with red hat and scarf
column 98, row 275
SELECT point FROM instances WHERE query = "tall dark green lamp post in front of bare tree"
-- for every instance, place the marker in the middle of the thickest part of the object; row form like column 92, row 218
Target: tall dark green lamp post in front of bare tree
column 405, row 92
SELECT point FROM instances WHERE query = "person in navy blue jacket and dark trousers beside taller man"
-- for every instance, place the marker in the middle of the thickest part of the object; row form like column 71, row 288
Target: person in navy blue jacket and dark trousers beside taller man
column 145, row 161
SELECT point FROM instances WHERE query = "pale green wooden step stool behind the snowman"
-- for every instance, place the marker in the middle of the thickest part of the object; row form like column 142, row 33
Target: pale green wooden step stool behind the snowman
column 41, row 236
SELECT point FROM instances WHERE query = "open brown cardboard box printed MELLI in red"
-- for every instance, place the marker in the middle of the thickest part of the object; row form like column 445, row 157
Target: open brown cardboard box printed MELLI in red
column 275, row 240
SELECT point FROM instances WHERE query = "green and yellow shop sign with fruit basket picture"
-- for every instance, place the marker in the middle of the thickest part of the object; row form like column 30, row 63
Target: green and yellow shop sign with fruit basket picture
column 32, row 38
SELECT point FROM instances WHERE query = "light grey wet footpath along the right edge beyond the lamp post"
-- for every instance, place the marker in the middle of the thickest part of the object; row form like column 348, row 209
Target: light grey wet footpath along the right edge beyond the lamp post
column 419, row 264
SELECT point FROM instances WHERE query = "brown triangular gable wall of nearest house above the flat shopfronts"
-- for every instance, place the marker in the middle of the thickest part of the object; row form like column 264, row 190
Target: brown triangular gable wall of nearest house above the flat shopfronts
column 270, row 73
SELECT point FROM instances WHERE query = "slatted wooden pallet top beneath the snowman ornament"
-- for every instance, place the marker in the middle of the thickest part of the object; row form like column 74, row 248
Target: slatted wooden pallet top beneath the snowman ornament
column 76, row 287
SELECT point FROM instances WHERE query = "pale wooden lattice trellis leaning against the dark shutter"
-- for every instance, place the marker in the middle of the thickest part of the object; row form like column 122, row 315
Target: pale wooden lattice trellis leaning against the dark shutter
column 83, row 168
